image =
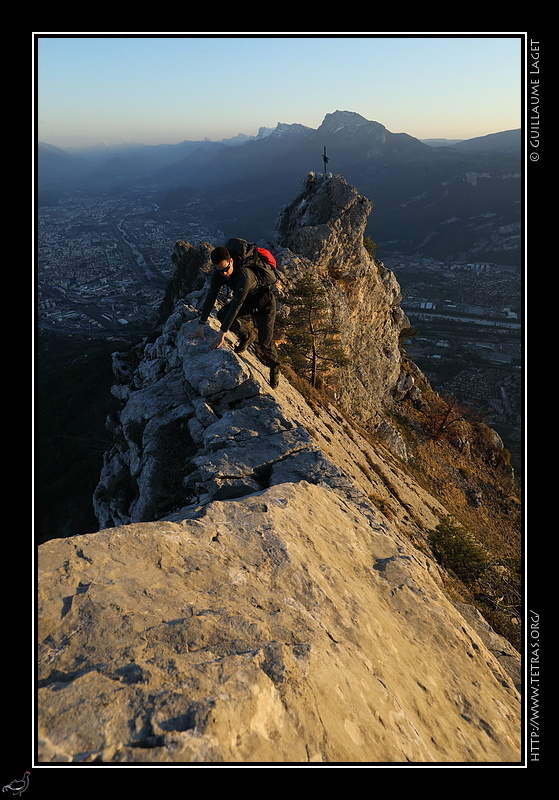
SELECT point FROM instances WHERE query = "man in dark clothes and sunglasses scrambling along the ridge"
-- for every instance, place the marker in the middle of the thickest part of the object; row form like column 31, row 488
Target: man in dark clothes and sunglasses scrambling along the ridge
column 242, row 270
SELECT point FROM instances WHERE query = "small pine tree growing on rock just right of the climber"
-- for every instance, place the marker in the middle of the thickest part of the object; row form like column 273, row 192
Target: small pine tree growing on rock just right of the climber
column 311, row 344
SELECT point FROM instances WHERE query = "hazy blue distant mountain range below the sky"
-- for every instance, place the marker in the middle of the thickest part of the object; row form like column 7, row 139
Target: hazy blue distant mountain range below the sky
column 454, row 201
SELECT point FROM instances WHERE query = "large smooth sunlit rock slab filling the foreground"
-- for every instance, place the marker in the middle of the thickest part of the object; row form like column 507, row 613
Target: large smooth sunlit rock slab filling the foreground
column 286, row 626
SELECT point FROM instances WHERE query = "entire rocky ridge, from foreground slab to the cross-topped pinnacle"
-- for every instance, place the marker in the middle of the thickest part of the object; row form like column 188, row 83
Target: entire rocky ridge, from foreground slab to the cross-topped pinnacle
column 260, row 590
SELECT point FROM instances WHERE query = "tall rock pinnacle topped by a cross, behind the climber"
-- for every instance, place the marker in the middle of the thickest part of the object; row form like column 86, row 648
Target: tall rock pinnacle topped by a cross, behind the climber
column 324, row 227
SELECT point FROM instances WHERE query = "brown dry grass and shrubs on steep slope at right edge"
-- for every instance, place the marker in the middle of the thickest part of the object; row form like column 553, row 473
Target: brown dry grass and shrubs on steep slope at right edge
column 466, row 468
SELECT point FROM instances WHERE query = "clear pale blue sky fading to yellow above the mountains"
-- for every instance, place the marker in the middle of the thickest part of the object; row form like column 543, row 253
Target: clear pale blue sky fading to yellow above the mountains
column 158, row 88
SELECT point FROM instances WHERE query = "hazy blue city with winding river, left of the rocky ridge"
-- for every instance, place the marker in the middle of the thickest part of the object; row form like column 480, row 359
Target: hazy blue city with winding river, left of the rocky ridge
column 104, row 262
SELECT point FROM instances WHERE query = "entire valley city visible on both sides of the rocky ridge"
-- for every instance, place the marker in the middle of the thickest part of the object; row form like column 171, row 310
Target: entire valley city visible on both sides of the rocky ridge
column 104, row 262
